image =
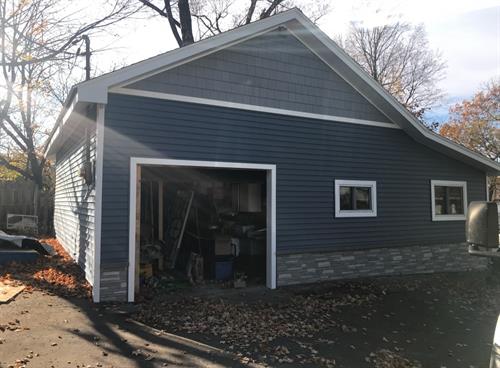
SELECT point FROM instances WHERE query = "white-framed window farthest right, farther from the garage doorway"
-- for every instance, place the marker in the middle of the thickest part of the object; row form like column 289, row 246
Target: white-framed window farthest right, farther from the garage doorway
column 449, row 200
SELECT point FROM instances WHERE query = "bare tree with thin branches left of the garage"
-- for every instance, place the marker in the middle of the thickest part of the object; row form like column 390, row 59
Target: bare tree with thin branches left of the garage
column 38, row 39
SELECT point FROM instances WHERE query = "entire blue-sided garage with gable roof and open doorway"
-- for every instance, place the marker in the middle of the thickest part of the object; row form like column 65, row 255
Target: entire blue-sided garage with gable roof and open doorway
column 276, row 102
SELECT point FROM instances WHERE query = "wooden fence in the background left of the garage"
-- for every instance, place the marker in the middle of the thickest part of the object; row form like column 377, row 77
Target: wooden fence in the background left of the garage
column 17, row 197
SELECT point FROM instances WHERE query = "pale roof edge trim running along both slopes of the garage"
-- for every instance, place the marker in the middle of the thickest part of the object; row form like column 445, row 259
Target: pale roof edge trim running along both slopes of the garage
column 96, row 90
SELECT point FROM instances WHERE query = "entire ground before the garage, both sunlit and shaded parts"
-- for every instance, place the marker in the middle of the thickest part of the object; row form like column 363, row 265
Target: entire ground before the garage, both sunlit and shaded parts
column 443, row 320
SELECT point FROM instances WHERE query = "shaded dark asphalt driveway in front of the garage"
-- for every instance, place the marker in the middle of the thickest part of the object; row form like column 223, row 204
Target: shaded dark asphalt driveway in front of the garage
column 440, row 320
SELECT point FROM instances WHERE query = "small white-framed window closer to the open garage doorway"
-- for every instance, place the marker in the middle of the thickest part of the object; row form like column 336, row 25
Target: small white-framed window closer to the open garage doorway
column 355, row 198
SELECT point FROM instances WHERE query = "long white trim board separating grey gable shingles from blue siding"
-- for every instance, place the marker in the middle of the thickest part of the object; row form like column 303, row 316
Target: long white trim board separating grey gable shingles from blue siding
column 241, row 106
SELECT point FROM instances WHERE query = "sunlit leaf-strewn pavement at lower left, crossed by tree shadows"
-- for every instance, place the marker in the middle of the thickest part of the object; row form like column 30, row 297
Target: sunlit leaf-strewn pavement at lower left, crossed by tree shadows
column 53, row 323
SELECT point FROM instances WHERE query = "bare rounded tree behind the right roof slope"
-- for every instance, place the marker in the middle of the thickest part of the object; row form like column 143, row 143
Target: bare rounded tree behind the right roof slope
column 398, row 56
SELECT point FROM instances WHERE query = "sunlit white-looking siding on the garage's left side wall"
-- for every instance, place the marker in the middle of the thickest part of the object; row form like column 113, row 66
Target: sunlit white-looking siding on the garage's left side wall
column 75, row 202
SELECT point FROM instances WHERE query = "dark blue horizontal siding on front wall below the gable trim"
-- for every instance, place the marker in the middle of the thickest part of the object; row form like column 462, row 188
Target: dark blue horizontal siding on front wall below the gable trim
column 309, row 154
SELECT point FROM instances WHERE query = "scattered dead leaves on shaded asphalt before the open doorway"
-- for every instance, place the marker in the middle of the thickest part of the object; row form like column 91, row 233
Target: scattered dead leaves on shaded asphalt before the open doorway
column 255, row 329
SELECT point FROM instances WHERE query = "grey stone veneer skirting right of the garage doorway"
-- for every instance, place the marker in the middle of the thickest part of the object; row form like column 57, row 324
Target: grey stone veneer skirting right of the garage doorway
column 314, row 267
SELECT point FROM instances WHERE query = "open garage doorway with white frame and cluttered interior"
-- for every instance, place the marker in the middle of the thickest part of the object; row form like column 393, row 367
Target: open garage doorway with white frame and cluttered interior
column 201, row 223
